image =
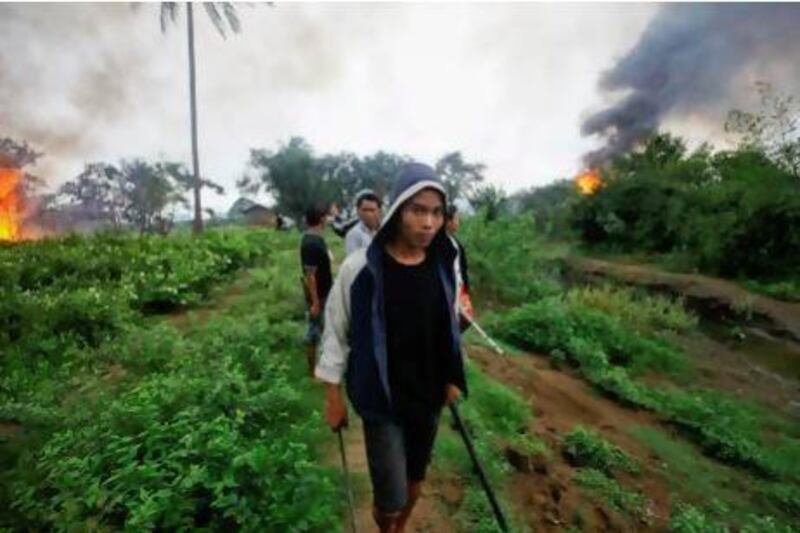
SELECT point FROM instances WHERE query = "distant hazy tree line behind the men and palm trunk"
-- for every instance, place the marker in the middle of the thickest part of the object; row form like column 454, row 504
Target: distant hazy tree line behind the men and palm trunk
column 141, row 194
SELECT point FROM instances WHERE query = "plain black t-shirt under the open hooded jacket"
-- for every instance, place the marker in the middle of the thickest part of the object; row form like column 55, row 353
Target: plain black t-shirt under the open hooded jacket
column 417, row 333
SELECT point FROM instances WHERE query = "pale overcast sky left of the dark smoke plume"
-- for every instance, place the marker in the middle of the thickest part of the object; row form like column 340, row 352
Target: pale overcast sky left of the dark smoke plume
column 507, row 84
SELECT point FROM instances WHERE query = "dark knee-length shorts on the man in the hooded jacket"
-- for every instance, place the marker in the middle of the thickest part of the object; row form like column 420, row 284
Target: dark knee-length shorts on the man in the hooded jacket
column 398, row 453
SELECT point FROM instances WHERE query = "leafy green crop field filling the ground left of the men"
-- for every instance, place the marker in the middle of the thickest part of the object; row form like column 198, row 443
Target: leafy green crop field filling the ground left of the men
column 118, row 416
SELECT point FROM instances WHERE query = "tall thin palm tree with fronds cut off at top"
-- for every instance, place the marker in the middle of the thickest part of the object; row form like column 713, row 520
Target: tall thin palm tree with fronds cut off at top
column 223, row 15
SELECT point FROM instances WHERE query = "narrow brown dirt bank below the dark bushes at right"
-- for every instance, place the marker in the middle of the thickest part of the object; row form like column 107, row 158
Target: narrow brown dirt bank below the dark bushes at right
column 714, row 295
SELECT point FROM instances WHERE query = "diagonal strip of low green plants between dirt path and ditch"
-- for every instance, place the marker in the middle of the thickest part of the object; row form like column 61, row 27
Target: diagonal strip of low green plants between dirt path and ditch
column 609, row 356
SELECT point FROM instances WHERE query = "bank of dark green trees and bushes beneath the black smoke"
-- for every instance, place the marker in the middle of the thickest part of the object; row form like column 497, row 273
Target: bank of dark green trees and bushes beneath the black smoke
column 721, row 212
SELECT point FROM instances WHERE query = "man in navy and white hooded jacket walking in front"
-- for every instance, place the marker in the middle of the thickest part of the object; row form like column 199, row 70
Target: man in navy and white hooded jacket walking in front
column 392, row 335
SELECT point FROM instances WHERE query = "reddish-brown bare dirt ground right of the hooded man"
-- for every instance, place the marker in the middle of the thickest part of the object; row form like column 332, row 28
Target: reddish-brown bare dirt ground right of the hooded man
column 543, row 491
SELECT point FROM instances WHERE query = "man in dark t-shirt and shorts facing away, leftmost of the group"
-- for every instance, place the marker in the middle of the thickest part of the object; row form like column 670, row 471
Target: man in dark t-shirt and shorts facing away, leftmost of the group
column 317, row 280
